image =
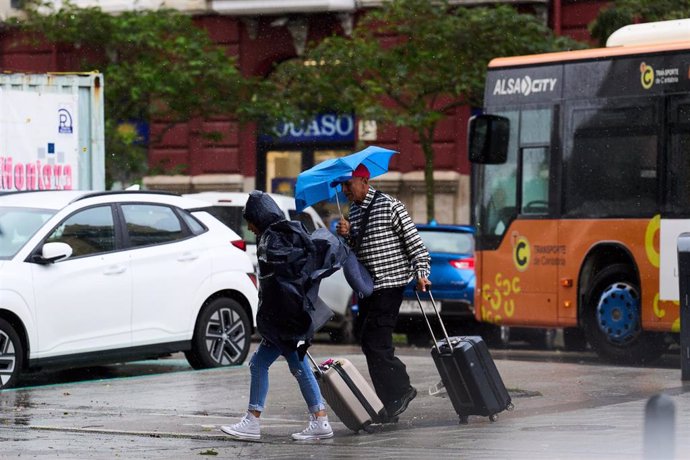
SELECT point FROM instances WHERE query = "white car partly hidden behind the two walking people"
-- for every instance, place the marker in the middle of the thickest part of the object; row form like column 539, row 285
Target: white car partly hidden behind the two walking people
column 334, row 290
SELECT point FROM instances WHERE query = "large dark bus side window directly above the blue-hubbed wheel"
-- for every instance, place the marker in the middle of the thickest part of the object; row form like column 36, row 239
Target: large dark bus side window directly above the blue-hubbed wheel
column 612, row 163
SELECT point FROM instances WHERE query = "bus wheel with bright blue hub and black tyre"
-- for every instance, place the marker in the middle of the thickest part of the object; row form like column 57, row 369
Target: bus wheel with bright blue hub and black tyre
column 612, row 318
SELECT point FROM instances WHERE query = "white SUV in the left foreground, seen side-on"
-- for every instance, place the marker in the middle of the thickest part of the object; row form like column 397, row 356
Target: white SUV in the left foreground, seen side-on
column 94, row 277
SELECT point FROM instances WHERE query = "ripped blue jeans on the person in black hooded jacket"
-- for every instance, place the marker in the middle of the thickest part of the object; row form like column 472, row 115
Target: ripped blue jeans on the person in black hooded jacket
column 262, row 359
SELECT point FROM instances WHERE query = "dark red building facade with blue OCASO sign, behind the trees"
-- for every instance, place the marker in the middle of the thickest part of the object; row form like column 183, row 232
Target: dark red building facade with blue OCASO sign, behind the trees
column 261, row 33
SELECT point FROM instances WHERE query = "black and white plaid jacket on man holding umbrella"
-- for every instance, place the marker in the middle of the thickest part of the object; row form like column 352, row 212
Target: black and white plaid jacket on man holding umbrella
column 391, row 249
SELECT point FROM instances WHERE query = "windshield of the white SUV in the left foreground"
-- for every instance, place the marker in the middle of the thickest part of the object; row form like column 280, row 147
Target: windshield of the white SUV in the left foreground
column 17, row 226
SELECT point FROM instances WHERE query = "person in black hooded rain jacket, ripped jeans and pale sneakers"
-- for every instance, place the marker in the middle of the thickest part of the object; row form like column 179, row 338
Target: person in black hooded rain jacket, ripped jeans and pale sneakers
column 291, row 264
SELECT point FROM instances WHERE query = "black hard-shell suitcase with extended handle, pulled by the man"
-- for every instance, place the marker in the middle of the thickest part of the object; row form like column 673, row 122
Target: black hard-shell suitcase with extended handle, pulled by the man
column 468, row 373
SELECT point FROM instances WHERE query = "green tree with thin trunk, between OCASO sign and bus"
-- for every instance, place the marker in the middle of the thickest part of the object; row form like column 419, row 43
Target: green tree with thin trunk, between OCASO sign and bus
column 407, row 64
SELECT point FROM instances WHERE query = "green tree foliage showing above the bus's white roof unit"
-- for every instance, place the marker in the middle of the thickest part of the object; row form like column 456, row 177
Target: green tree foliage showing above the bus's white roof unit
column 623, row 12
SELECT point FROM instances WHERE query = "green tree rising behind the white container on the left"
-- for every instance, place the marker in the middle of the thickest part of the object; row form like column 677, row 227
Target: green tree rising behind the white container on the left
column 157, row 65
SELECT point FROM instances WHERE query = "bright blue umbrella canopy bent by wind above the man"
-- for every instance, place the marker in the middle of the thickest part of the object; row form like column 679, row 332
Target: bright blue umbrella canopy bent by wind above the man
column 320, row 183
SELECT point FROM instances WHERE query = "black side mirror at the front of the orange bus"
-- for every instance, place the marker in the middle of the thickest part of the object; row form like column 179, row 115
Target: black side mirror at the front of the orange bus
column 488, row 139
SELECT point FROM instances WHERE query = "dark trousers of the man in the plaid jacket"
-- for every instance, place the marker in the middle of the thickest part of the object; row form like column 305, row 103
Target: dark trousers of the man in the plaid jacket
column 377, row 315
